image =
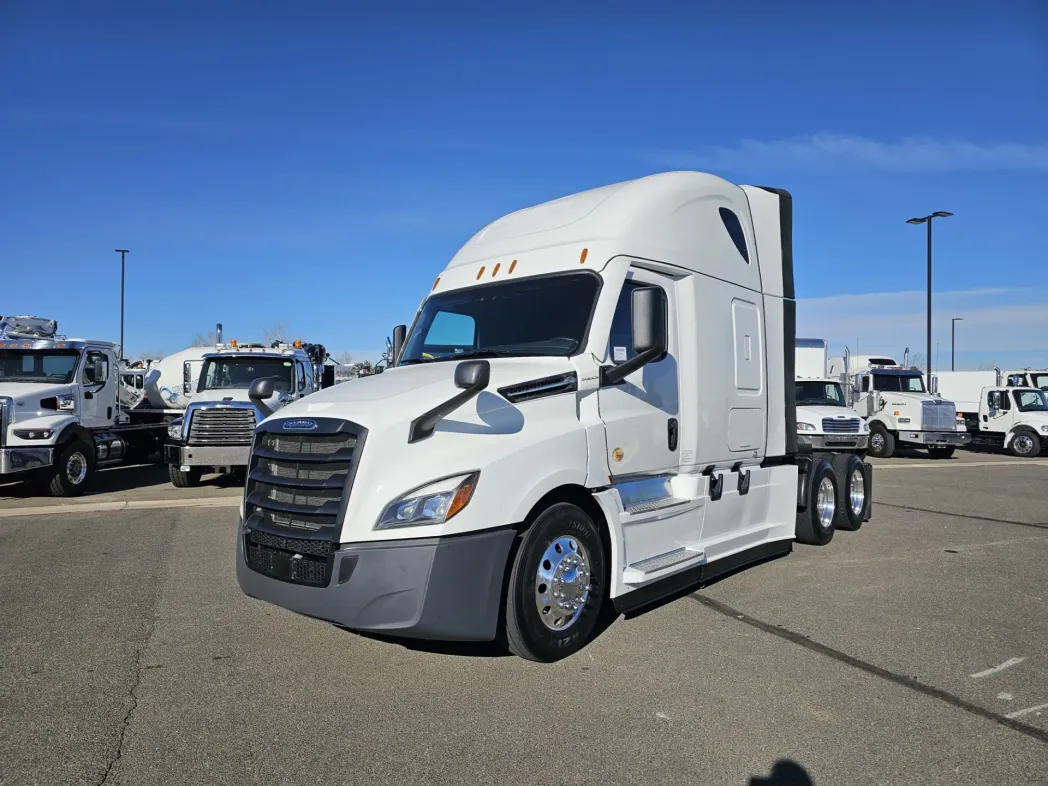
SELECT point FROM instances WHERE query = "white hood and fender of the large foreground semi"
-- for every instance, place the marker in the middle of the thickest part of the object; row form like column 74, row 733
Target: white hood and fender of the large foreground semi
column 521, row 450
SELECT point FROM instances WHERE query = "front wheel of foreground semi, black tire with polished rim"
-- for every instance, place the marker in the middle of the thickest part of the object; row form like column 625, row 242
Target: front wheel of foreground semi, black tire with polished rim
column 533, row 631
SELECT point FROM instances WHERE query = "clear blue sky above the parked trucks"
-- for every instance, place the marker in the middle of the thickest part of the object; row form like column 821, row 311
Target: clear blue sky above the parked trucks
column 318, row 167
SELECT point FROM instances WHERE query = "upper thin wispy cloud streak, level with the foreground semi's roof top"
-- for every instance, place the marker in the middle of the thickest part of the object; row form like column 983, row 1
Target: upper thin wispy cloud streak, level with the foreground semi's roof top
column 908, row 155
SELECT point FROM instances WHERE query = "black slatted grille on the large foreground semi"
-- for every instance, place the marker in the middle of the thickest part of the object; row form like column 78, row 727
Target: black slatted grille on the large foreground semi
column 295, row 493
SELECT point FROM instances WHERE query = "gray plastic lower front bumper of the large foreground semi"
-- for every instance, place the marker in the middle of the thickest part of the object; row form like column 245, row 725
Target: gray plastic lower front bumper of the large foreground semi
column 434, row 588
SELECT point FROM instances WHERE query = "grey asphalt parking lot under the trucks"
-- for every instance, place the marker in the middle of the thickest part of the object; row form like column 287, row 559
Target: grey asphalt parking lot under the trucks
column 911, row 652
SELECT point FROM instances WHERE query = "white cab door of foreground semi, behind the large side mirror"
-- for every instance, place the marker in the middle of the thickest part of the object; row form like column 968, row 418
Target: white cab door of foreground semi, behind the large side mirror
column 642, row 413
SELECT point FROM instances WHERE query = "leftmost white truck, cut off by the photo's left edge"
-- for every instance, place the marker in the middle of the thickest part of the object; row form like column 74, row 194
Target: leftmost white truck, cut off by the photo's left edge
column 61, row 414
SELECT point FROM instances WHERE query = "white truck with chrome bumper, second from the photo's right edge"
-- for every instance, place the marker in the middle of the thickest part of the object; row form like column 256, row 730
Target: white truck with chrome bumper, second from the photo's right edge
column 899, row 408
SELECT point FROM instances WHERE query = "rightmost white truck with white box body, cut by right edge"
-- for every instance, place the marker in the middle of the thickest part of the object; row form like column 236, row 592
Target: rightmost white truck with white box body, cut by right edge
column 1008, row 418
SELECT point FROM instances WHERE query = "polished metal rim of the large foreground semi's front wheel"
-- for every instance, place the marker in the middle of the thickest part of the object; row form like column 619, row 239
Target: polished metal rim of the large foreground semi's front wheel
column 562, row 584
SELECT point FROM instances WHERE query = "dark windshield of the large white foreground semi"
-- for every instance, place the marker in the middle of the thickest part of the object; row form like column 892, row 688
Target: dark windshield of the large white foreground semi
column 544, row 316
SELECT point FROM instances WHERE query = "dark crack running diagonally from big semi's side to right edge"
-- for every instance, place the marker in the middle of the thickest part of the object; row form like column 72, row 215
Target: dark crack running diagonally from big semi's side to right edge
column 911, row 683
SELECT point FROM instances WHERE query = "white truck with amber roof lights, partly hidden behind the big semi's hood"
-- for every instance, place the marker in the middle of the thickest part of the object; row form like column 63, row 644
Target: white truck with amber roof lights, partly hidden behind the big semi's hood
column 215, row 434
